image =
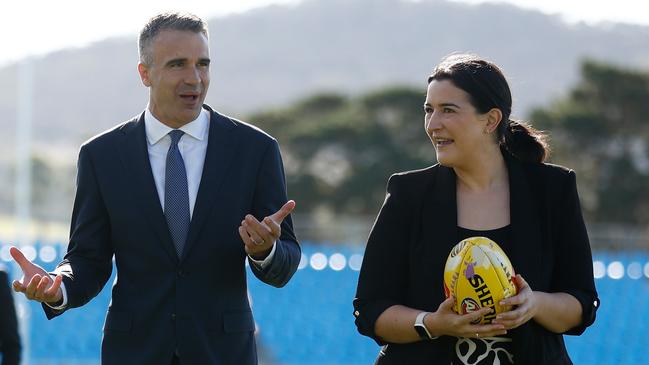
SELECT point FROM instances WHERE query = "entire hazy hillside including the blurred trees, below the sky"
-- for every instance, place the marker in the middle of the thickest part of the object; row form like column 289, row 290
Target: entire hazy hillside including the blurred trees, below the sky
column 341, row 84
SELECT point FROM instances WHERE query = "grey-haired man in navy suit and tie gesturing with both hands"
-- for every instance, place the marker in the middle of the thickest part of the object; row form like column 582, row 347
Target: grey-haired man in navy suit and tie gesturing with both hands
column 175, row 195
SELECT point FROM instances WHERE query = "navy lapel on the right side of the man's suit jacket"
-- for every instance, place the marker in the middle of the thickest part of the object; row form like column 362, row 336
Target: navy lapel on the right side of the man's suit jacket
column 218, row 158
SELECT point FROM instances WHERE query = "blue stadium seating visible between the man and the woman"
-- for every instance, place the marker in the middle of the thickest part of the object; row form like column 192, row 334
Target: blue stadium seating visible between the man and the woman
column 310, row 320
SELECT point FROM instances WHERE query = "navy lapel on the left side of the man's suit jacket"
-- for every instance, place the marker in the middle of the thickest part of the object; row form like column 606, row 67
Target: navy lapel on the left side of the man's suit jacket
column 135, row 157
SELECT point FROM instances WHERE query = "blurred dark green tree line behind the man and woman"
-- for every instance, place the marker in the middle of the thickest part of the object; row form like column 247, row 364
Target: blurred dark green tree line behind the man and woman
column 339, row 150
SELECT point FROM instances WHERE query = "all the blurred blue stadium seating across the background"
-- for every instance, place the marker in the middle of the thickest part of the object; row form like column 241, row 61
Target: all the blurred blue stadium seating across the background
column 310, row 321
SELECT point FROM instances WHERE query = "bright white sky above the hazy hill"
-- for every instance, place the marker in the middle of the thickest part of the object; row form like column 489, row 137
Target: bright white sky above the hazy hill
column 40, row 26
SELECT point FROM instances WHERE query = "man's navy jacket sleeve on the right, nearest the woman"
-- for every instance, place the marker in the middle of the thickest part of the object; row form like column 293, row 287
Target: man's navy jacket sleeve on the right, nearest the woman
column 270, row 195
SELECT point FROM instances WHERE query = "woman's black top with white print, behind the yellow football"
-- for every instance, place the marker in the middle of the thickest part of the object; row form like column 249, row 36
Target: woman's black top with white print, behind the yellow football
column 469, row 350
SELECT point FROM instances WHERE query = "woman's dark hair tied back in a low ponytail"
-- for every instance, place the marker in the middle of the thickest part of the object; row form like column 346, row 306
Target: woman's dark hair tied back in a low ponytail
column 488, row 88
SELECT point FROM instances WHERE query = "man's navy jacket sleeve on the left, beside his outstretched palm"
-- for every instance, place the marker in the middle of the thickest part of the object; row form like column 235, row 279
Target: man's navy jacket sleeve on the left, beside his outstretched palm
column 88, row 263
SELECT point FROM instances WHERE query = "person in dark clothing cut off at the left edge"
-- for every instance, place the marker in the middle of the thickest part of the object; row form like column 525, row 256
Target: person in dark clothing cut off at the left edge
column 9, row 338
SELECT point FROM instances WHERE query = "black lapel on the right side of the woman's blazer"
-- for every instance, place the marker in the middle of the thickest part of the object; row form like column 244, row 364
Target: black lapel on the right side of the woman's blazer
column 525, row 222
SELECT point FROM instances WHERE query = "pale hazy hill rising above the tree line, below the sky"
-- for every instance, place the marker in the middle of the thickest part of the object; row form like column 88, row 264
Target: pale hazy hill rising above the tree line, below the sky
column 274, row 55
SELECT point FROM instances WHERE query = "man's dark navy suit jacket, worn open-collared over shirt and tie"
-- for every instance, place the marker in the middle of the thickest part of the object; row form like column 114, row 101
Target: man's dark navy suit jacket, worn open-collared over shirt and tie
column 196, row 304
